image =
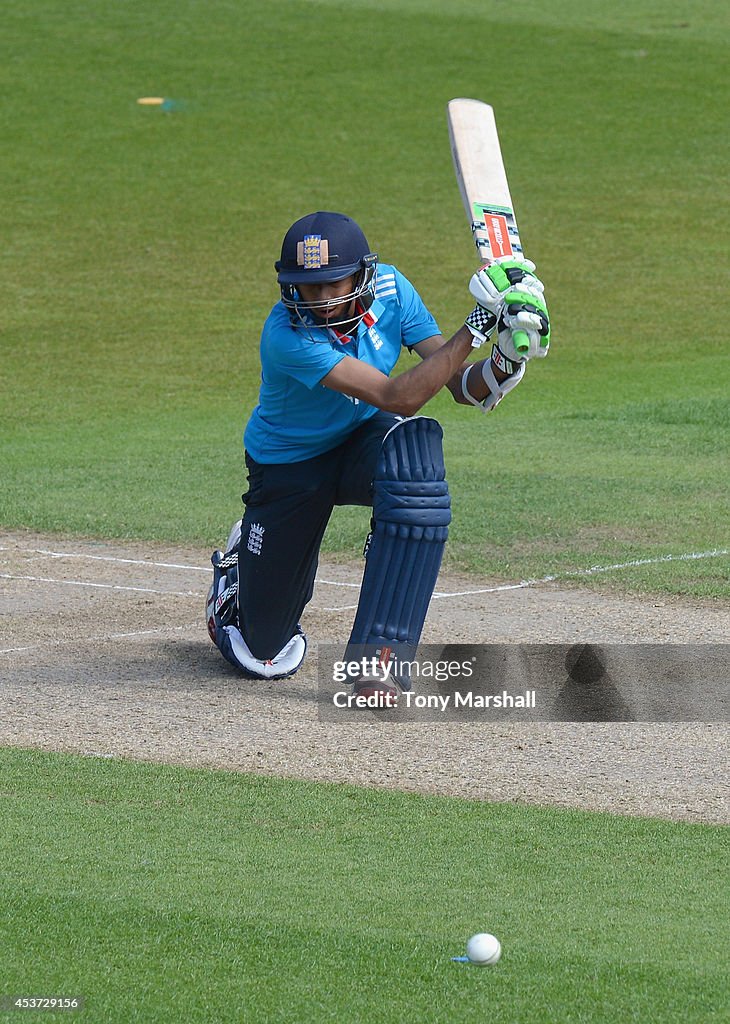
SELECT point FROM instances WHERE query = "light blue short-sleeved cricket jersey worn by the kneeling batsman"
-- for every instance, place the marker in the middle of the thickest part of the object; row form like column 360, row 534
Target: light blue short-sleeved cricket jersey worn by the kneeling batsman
column 297, row 417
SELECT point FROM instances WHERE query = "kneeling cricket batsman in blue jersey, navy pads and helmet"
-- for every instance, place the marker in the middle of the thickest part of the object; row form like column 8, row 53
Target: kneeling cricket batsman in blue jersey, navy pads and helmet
column 333, row 428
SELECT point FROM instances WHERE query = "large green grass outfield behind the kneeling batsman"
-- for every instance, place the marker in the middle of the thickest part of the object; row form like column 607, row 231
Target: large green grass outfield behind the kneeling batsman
column 137, row 266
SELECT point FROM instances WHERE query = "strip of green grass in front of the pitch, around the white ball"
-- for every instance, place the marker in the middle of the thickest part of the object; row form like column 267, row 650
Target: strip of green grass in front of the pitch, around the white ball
column 166, row 894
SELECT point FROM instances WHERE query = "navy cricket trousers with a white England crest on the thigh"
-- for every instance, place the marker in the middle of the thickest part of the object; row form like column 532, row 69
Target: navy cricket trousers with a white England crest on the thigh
column 288, row 507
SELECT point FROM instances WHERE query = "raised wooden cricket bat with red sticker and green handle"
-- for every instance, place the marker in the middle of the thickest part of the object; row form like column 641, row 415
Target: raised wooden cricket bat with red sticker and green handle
column 483, row 183
